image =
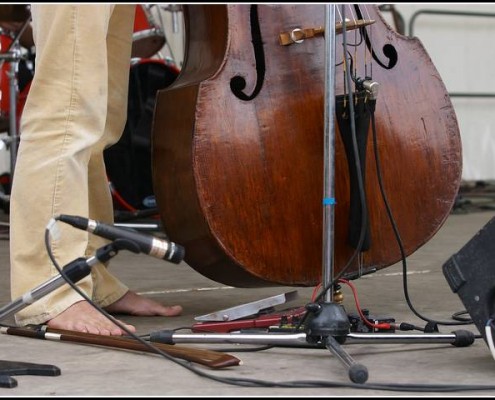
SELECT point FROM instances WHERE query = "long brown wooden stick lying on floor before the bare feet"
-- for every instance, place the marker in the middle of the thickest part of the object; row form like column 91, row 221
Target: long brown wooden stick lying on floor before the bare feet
column 209, row 358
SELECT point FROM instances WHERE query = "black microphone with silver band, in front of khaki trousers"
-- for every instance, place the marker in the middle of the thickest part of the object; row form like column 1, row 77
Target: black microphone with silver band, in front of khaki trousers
column 147, row 244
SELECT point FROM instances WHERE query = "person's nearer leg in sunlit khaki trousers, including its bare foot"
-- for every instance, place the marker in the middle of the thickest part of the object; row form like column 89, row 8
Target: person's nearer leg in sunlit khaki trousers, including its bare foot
column 63, row 118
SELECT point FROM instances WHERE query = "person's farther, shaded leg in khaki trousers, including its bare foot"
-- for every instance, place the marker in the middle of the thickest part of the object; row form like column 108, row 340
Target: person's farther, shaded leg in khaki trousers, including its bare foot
column 107, row 290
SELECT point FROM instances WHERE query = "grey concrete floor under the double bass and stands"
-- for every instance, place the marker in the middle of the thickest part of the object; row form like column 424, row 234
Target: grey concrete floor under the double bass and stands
column 89, row 370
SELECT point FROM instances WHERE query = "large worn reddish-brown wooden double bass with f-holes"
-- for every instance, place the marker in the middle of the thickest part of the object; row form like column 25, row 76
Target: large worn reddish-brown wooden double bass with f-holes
column 237, row 155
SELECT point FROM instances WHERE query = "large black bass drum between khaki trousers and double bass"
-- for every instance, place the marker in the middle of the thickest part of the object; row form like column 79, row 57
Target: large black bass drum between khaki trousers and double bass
column 128, row 162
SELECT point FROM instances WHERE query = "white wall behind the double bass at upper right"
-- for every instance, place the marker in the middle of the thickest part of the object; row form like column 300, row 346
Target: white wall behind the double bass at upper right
column 463, row 50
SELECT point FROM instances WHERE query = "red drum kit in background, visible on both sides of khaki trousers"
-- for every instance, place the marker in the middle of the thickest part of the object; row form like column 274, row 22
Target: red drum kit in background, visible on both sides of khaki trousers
column 128, row 161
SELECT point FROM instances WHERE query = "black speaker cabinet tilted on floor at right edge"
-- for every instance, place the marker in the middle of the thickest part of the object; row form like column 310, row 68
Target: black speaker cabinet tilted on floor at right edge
column 471, row 274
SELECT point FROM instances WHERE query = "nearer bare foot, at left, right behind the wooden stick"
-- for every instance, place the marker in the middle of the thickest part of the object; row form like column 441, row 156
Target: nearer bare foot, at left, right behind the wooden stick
column 83, row 317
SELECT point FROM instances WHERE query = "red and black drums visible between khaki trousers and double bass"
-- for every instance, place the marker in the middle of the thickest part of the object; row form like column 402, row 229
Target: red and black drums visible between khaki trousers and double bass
column 128, row 162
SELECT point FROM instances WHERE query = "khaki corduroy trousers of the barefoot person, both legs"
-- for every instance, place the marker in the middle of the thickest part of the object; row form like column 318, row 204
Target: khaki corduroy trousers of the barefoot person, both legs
column 76, row 106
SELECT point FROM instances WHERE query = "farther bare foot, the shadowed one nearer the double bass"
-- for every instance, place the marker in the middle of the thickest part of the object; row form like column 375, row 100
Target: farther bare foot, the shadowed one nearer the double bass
column 133, row 304
